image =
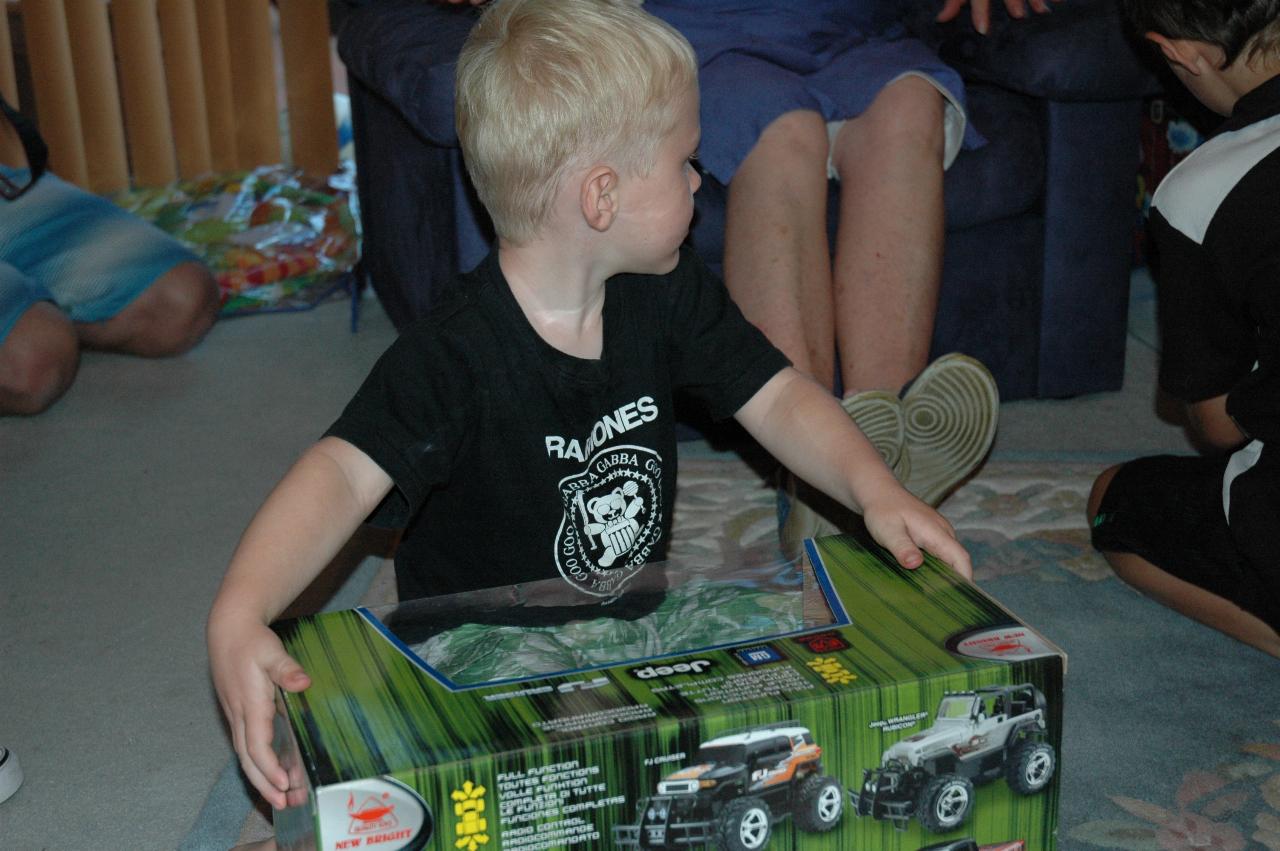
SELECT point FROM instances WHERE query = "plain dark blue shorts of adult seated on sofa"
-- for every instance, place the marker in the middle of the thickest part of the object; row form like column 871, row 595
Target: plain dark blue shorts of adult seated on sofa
column 760, row 61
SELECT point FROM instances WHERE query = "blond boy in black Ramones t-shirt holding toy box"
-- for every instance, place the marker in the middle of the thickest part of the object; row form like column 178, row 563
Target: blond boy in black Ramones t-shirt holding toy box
column 524, row 431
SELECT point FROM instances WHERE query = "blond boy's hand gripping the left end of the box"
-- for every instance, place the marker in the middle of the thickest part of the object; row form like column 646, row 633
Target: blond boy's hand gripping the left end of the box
column 249, row 662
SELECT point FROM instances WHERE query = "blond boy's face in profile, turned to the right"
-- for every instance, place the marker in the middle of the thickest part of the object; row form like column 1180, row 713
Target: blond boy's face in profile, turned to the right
column 656, row 209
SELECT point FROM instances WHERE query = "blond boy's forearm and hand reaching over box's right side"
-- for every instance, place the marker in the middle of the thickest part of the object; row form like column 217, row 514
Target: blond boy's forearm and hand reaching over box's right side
column 807, row 431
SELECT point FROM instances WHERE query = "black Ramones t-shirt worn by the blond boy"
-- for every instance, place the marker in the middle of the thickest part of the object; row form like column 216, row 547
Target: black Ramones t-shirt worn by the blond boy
column 514, row 461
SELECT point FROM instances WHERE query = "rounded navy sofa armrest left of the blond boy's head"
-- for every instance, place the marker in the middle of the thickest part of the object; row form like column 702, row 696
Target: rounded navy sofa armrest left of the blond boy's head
column 406, row 53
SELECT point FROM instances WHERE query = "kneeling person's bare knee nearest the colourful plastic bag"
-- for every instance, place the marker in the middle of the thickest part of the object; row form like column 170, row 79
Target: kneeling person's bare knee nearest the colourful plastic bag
column 177, row 312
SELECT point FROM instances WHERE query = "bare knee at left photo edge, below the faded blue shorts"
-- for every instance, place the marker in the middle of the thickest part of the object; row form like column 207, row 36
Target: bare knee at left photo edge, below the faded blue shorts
column 39, row 360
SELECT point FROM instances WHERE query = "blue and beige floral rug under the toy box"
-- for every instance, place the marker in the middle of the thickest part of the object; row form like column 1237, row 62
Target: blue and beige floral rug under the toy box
column 1172, row 731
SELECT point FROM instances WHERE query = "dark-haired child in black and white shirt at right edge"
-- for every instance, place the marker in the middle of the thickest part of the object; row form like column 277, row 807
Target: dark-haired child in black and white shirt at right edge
column 1200, row 534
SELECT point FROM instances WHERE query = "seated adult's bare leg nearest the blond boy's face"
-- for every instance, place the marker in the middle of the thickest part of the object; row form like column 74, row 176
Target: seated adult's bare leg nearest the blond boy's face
column 776, row 251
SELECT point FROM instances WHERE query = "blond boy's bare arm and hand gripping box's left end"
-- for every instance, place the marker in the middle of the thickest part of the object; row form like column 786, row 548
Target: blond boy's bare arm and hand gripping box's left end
column 301, row 527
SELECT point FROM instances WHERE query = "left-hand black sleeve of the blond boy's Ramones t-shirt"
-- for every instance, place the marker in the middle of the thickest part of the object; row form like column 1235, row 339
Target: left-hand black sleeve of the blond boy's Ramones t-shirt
column 410, row 420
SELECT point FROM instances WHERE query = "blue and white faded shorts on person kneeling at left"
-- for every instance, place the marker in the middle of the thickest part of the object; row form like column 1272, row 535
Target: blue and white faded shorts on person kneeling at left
column 62, row 245
